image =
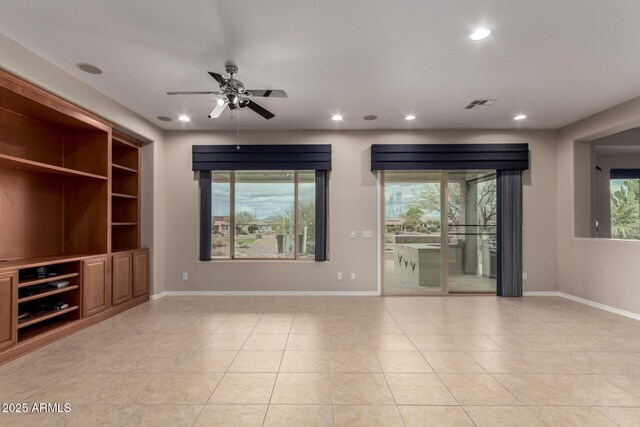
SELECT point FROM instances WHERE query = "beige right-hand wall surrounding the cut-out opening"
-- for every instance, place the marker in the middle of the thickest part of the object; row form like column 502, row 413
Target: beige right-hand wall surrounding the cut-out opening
column 601, row 270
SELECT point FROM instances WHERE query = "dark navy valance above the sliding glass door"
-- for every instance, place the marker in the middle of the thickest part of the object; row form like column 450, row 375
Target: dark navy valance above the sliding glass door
column 449, row 156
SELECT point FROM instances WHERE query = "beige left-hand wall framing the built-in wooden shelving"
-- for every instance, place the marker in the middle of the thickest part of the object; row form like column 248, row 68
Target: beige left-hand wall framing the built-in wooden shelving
column 23, row 63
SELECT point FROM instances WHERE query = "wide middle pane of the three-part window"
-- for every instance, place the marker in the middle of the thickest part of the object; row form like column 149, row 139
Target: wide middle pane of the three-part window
column 264, row 214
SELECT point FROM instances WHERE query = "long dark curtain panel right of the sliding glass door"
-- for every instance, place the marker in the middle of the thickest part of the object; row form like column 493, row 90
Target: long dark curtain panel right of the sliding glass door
column 509, row 233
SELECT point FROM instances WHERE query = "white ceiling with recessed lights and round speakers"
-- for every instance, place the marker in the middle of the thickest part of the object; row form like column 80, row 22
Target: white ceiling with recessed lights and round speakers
column 555, row 60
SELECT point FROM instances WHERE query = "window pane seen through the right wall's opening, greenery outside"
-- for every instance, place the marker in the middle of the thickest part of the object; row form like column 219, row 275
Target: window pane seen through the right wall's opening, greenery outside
column 625, row 208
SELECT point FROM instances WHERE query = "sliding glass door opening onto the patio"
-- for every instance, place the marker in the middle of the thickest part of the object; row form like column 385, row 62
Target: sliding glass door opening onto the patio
column 423, row 209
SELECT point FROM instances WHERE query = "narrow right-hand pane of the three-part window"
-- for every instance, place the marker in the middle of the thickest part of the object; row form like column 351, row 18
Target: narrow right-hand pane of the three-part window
column 306, row 214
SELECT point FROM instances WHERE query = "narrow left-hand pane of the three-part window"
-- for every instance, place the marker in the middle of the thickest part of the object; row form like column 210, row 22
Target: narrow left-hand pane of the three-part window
column 220, row 203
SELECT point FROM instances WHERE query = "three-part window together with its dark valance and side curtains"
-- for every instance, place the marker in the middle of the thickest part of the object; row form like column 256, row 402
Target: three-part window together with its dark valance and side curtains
column 263, row 201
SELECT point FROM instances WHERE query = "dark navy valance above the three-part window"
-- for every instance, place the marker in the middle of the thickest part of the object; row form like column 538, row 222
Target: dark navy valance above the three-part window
column 262, row 157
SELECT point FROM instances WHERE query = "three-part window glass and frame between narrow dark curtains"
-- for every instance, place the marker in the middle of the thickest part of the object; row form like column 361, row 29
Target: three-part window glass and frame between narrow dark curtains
column 263, row 214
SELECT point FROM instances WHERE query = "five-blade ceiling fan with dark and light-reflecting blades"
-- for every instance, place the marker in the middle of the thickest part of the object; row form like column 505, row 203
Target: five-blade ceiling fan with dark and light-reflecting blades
column 235, row 95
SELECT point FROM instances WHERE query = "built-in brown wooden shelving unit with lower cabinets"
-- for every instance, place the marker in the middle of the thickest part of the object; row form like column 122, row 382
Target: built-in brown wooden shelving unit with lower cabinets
column 69, row 197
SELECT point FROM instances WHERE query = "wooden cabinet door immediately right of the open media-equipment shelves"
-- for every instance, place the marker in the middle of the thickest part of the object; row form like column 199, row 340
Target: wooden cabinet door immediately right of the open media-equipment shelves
column 94, row 286
